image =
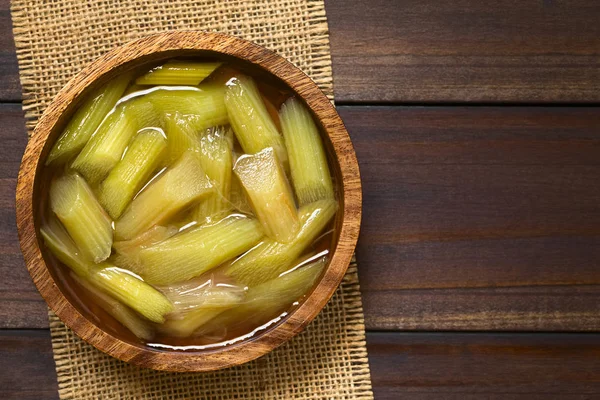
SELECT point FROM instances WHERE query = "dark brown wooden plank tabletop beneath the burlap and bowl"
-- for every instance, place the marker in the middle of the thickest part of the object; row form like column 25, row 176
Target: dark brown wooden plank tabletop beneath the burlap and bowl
column 477, row 129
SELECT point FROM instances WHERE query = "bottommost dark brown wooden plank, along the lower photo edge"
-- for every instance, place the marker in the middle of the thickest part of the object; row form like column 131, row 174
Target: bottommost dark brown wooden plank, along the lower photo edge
column 420, row 366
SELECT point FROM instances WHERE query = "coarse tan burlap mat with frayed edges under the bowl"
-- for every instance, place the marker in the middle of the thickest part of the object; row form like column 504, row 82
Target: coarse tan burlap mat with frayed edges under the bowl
column 54, row 40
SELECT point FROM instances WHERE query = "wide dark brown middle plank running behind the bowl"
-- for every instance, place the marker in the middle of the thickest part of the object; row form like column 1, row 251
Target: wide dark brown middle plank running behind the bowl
column 475, row 218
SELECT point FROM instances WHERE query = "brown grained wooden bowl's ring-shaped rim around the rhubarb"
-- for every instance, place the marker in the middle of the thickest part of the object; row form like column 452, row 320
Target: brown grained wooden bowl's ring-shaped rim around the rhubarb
column 153, row 49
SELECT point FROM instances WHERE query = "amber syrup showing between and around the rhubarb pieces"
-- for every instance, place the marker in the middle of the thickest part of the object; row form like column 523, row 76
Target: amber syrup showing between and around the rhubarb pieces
column 274, row 93
